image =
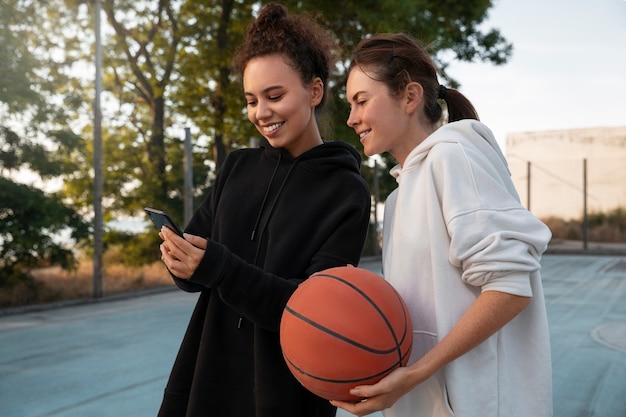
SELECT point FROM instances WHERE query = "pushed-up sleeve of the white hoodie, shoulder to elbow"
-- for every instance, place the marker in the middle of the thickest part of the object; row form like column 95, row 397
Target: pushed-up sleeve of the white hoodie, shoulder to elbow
column 493, row 238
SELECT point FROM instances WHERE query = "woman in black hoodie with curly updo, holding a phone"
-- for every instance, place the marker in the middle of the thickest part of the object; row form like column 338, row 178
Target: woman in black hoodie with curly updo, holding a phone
column 276, row 214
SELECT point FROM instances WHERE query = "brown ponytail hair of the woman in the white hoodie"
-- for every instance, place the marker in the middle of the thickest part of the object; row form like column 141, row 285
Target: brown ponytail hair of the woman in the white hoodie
column 396, row 60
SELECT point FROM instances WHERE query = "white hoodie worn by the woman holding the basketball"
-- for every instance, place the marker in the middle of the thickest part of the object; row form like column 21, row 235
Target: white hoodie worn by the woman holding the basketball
column 454, row 228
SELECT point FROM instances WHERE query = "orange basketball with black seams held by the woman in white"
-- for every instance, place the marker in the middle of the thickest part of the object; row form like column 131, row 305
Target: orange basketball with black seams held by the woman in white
column 343, row 327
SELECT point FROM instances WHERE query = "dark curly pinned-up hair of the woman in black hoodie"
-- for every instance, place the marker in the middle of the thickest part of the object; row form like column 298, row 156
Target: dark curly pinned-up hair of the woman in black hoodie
column 308, row 48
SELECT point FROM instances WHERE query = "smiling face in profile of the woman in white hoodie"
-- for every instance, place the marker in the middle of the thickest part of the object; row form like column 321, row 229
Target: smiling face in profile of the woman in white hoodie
column 383, row 122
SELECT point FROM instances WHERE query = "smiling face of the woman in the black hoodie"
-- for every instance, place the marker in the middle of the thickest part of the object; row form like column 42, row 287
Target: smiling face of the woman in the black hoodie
column 280, row 106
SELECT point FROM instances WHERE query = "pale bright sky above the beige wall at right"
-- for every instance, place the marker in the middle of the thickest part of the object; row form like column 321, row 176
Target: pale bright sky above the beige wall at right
column 568, row 68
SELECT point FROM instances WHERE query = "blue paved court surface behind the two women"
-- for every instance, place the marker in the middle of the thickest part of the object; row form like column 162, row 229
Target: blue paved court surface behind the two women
column 112, row 357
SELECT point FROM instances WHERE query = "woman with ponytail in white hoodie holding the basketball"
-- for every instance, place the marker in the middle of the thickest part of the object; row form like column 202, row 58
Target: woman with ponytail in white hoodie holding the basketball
column 457, row 244
